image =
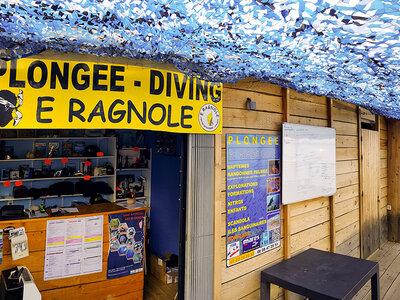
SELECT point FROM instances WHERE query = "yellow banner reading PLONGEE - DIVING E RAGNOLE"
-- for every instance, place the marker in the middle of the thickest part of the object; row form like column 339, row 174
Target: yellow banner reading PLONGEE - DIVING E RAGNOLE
column 37, row 94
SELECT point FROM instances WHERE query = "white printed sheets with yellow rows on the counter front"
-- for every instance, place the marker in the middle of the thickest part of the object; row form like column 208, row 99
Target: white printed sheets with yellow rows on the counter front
column 73, row 247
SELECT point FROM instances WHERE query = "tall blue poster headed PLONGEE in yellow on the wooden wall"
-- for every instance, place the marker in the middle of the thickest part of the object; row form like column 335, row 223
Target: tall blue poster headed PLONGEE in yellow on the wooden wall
column 253, row 195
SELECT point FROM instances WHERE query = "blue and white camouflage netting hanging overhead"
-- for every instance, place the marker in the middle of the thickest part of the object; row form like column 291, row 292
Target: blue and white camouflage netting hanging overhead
column 345, row 49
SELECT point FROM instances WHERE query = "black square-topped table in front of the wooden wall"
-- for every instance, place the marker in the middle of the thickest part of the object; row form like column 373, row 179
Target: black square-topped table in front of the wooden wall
column 319, row 274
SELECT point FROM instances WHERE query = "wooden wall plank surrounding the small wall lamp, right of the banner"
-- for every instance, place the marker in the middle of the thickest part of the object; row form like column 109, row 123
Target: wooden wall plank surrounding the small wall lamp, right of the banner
column 237, row 99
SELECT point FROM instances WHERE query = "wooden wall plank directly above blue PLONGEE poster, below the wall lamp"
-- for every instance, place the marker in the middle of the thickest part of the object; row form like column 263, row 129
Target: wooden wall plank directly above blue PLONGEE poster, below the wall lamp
column 252, row 119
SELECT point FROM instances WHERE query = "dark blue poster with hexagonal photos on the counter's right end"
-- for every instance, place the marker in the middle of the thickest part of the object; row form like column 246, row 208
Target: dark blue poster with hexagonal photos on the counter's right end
column 125, row 255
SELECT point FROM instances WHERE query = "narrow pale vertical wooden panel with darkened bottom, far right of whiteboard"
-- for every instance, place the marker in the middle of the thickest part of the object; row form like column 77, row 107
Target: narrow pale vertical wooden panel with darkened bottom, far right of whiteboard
column 370, row 177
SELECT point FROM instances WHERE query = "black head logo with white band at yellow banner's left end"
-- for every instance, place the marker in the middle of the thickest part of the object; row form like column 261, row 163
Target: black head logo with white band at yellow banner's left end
column 9, row 105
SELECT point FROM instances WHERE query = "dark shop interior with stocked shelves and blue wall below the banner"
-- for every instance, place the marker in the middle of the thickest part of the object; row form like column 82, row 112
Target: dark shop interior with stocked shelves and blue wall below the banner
column 45, row 172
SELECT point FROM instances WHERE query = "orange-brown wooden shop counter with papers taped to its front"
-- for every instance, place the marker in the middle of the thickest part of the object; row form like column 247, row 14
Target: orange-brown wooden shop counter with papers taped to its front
column 93, row 286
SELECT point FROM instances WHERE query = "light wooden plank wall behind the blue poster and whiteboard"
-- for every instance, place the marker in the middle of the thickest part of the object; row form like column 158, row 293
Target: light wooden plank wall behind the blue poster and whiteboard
column 310, row 221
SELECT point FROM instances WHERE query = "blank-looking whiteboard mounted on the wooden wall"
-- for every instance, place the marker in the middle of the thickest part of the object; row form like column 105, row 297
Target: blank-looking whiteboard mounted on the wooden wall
column 308, row 162
